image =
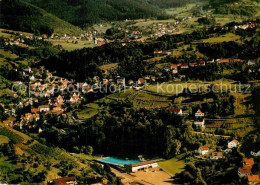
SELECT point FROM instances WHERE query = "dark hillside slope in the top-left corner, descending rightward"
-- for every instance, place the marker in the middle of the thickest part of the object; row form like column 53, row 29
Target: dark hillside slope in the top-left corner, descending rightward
column 22, row 16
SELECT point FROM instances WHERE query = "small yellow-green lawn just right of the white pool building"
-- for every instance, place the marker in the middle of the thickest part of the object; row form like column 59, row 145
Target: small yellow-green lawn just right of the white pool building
column 172, row 166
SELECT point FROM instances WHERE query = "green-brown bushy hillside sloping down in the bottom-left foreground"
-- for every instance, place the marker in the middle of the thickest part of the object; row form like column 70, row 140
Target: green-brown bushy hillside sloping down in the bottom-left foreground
column 25, row 160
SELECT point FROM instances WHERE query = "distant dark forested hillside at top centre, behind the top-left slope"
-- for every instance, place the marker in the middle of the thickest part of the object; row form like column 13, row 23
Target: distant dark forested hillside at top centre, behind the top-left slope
column 85, row 12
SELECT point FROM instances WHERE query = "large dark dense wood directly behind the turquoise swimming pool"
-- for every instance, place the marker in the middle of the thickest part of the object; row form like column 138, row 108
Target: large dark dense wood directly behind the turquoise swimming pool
column 123, row 130
